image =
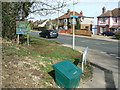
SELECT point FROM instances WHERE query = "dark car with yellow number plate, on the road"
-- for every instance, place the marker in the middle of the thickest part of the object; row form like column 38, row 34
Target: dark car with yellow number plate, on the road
column 47, row 33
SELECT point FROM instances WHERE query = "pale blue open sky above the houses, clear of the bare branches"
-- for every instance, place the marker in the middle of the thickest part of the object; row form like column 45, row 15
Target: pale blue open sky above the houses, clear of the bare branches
column 90, row 8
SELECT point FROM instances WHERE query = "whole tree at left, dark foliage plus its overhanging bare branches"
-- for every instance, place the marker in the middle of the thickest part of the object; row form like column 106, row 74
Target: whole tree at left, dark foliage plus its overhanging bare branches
column 13, row 11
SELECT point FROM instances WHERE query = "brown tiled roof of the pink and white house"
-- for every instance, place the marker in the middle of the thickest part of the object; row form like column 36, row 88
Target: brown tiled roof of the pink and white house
column 114, row 12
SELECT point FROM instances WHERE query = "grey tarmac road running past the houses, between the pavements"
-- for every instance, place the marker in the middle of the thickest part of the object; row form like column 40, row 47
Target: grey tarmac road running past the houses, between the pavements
column 103, row 46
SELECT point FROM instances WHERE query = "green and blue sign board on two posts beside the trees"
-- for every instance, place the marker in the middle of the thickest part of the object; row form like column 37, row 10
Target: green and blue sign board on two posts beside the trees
column 22, row 27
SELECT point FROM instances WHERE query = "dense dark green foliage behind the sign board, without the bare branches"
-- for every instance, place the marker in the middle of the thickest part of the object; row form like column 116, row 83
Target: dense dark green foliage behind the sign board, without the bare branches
column 10, row 14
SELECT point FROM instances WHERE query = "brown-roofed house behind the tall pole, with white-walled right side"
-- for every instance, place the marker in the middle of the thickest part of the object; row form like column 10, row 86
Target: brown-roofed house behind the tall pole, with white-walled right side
column 65, row 22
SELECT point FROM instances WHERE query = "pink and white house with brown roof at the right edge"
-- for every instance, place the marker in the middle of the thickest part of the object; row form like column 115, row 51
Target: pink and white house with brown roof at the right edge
column 109, row 20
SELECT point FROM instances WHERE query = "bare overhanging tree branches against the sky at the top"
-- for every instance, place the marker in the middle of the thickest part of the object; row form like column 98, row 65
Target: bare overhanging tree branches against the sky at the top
column 47, row 7
